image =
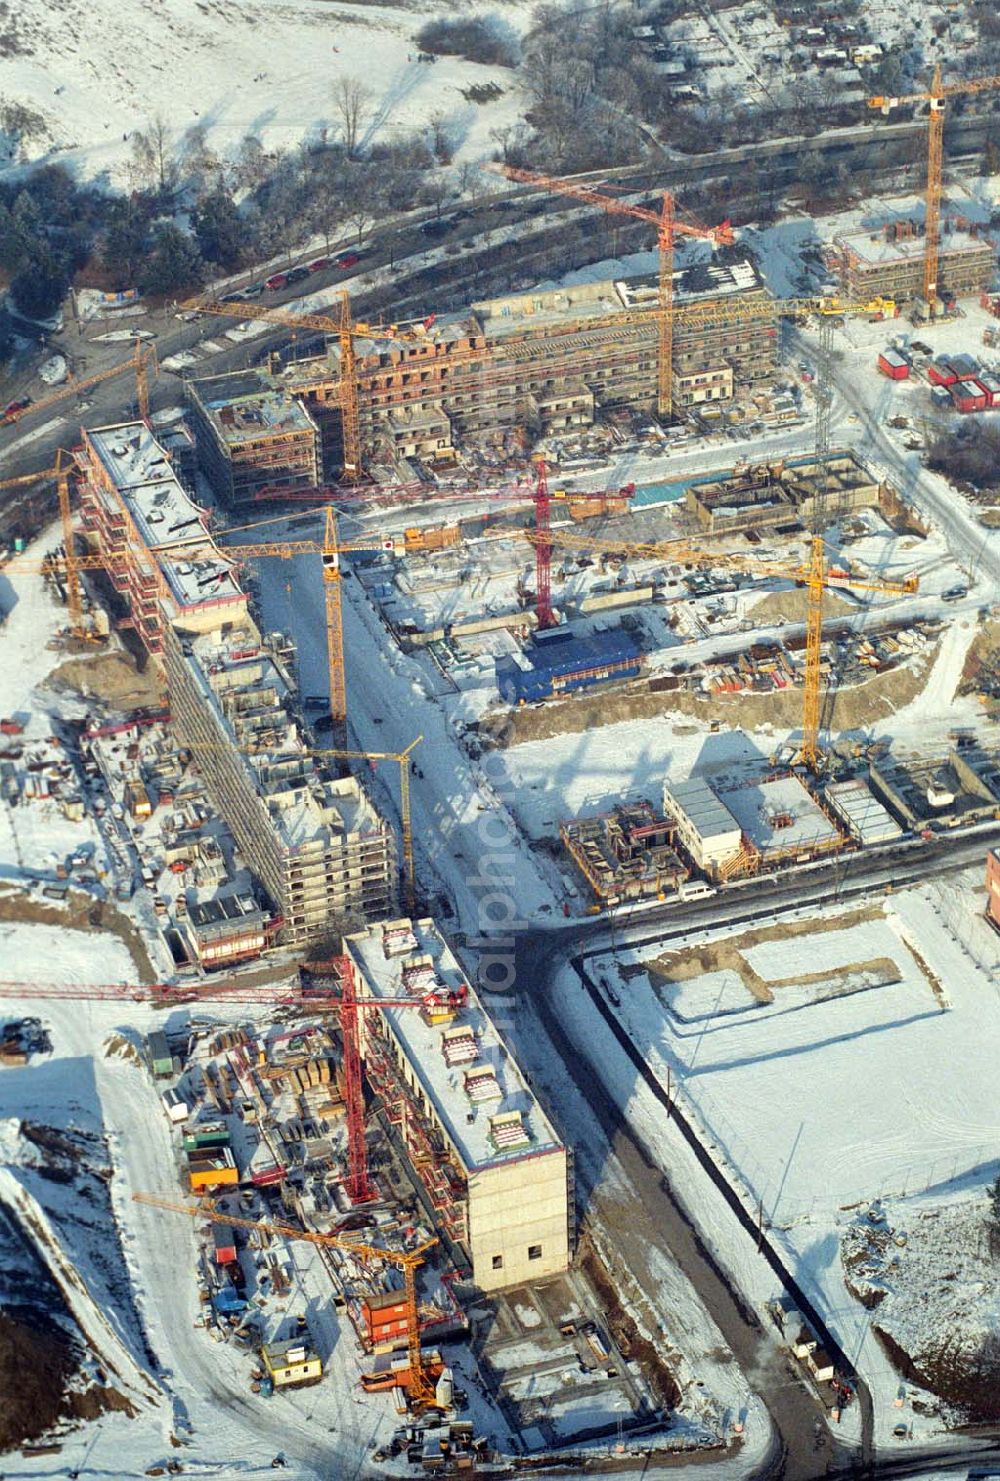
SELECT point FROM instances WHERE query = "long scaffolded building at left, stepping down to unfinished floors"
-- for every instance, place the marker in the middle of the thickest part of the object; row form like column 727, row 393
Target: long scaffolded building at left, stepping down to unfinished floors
column 318, row 845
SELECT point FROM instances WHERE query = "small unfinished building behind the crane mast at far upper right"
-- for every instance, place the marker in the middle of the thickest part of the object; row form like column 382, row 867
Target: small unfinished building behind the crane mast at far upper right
column 891, row 263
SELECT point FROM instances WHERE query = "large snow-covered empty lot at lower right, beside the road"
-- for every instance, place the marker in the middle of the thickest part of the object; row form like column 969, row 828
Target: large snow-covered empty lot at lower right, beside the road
column 827, row 1100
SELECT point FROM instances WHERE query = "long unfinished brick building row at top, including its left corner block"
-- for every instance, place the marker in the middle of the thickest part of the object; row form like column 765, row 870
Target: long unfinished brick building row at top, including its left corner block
column 547, row 361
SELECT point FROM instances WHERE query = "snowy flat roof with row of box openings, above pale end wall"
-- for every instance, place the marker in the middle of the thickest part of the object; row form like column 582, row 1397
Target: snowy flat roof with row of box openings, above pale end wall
column 466, row 1120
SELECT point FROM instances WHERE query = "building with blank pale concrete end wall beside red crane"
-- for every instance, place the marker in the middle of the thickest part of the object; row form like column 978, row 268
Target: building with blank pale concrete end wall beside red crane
column 490, row 1163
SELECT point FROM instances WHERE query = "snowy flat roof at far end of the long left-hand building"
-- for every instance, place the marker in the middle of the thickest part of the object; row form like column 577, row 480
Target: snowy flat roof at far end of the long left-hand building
column 139, row 467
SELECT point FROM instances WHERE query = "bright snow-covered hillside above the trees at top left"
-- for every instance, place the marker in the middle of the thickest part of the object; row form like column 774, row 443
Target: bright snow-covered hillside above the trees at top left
column 97, row 70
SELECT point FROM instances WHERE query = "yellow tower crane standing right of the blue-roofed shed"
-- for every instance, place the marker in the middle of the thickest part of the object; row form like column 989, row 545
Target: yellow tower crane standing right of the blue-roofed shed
column 816, row 575
